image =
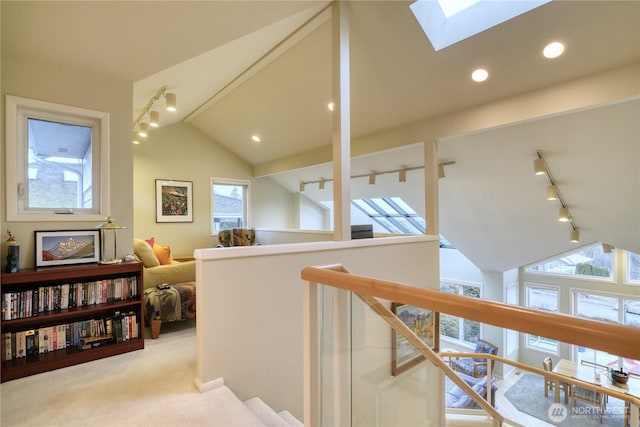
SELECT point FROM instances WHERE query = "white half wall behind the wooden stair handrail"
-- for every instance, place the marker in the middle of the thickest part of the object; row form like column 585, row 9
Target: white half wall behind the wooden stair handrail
column 249, row 314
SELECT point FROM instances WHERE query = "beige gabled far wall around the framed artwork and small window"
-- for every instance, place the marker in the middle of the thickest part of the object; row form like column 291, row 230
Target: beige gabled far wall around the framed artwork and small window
column 180, row 152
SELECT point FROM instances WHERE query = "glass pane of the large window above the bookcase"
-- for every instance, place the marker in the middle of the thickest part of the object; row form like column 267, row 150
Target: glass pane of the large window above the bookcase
column 58, row 157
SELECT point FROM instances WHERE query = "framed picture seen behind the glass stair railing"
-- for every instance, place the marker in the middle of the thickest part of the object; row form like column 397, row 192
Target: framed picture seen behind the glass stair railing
column 425, row 324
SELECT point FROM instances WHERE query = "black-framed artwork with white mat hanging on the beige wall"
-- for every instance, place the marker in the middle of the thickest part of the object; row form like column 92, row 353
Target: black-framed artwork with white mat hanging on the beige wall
column 174, row 201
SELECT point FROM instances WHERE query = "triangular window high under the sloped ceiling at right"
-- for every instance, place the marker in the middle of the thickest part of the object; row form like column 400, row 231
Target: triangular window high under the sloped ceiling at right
column 588, row 262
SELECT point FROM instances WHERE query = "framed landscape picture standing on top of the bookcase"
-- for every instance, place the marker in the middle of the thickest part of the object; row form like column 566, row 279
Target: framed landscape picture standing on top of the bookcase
column 67, row 247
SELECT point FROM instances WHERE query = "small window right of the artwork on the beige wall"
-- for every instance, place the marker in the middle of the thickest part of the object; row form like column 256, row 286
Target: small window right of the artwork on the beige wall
column 230, row 204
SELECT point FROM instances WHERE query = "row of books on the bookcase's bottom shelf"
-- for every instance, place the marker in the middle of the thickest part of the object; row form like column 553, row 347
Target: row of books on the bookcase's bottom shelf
column 81, row 335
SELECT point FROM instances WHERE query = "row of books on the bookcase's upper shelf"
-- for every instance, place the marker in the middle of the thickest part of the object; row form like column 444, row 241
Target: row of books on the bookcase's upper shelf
column 31, row 302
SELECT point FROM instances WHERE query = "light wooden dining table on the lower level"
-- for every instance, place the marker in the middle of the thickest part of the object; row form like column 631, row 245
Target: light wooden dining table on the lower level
column 599, row 376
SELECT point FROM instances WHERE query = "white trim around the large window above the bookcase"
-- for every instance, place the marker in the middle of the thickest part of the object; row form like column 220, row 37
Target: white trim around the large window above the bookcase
column 16, row 162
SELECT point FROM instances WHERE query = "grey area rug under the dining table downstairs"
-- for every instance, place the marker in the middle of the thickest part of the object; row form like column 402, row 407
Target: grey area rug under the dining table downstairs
column 527, row 395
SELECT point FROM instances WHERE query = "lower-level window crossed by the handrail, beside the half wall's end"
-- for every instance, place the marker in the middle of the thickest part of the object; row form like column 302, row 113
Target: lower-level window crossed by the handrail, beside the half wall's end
column 457, row 328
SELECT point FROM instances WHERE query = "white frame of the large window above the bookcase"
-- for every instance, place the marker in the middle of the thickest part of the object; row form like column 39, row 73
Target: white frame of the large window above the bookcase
column 18, row 111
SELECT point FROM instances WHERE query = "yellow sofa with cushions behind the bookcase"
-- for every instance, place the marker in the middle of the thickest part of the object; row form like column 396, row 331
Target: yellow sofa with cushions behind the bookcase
column 159, row 267
